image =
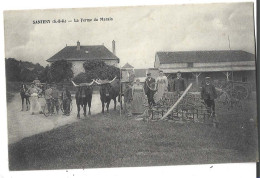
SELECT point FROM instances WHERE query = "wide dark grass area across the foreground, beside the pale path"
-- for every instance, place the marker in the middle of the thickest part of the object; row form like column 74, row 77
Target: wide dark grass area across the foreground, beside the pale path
column 113, row 141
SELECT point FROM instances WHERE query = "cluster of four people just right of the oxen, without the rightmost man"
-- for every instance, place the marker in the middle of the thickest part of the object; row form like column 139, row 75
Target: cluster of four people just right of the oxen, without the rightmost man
column 153, row 89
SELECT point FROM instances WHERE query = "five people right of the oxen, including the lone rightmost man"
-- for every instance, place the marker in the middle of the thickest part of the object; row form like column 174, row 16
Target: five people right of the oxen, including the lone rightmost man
column 155, row 89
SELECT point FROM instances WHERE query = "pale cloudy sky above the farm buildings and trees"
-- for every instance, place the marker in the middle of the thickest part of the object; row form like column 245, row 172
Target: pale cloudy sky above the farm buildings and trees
column 139, row 31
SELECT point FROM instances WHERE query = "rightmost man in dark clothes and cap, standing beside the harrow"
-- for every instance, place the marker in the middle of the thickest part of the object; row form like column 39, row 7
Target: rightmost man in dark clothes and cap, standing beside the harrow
column 209, row 94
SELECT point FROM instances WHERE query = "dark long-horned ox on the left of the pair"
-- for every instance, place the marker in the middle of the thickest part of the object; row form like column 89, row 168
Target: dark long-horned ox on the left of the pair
column 83, row 97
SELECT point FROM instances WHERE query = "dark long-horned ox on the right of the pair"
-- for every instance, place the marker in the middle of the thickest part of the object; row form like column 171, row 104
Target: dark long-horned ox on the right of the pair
column 108, row 90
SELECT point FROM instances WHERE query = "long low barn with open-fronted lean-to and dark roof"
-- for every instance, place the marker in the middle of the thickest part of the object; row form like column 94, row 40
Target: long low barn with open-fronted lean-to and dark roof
column 234, row 65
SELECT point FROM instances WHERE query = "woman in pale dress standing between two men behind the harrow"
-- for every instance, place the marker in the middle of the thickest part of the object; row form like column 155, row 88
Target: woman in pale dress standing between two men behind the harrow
column 161, row 85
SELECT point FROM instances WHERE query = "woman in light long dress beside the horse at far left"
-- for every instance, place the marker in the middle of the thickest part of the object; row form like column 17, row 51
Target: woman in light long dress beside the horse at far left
column 35, row 104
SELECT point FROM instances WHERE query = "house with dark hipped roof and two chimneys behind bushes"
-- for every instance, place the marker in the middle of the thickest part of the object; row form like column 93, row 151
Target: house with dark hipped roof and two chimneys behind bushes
column 78, row 54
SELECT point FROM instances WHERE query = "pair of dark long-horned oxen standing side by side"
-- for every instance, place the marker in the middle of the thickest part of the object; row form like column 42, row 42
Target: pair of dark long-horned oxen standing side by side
column 109, row 90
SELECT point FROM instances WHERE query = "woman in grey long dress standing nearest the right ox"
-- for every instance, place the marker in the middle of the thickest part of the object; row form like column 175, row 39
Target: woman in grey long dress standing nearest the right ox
column 138, row 98
